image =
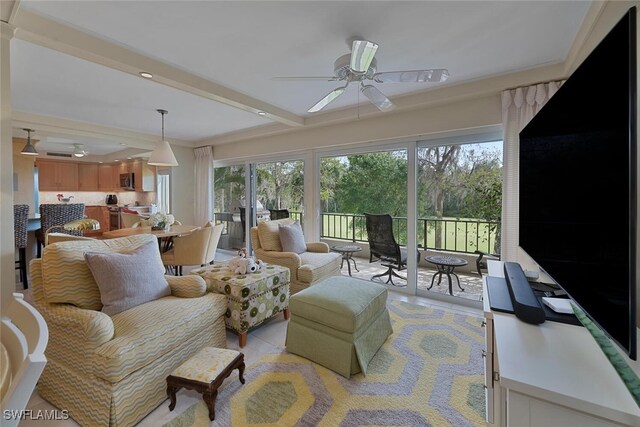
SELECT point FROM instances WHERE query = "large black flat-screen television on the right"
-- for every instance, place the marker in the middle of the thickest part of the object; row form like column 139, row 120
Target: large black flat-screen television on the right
column 578, row 185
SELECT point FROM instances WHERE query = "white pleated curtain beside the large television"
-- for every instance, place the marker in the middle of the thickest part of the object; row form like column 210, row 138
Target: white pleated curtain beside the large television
column 518, row 108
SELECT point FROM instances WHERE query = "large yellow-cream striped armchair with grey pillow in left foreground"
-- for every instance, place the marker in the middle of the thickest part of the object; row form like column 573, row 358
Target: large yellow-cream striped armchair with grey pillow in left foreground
column 111, row 371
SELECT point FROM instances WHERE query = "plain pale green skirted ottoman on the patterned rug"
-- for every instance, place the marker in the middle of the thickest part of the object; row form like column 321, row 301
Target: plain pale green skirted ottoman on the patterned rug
column 339, row 323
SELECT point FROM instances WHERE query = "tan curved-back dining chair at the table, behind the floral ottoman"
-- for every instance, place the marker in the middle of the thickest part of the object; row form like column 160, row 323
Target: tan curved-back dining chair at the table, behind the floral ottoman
column 197, row 248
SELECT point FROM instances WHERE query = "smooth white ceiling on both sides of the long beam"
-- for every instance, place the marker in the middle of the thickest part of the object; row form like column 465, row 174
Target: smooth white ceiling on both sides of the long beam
column 242, row 44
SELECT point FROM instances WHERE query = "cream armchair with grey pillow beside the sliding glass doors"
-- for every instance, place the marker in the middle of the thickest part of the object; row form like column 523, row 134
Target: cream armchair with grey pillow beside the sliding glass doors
column 307, row 268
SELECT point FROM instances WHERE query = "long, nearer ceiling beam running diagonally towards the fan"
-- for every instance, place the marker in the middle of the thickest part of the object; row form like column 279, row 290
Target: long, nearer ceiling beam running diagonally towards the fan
column 51, row 34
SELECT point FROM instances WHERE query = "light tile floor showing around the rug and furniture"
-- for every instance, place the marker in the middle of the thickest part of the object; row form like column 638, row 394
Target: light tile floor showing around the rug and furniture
column 267, row 338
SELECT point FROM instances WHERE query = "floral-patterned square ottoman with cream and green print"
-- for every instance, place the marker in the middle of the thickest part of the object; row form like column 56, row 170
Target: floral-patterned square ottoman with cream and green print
column 251, row 298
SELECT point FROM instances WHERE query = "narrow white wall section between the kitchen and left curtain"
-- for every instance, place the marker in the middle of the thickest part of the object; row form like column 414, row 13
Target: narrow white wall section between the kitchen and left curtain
column 183, row 185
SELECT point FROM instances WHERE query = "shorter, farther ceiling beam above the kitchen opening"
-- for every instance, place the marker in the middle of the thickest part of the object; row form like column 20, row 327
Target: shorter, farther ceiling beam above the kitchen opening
column 55, row 126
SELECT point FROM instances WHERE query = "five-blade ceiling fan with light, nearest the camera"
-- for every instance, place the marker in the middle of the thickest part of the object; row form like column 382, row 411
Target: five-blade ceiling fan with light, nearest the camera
column 360, row 66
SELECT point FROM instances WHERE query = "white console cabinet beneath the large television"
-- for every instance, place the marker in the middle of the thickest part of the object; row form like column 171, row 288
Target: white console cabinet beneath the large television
column 549, row 375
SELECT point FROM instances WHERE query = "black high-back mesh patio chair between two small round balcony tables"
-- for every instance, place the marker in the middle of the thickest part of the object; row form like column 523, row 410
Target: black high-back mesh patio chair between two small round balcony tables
column 383, row 247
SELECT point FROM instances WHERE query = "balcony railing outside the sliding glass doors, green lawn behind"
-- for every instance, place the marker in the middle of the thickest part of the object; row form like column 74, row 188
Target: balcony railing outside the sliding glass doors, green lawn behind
column 446, row 234
